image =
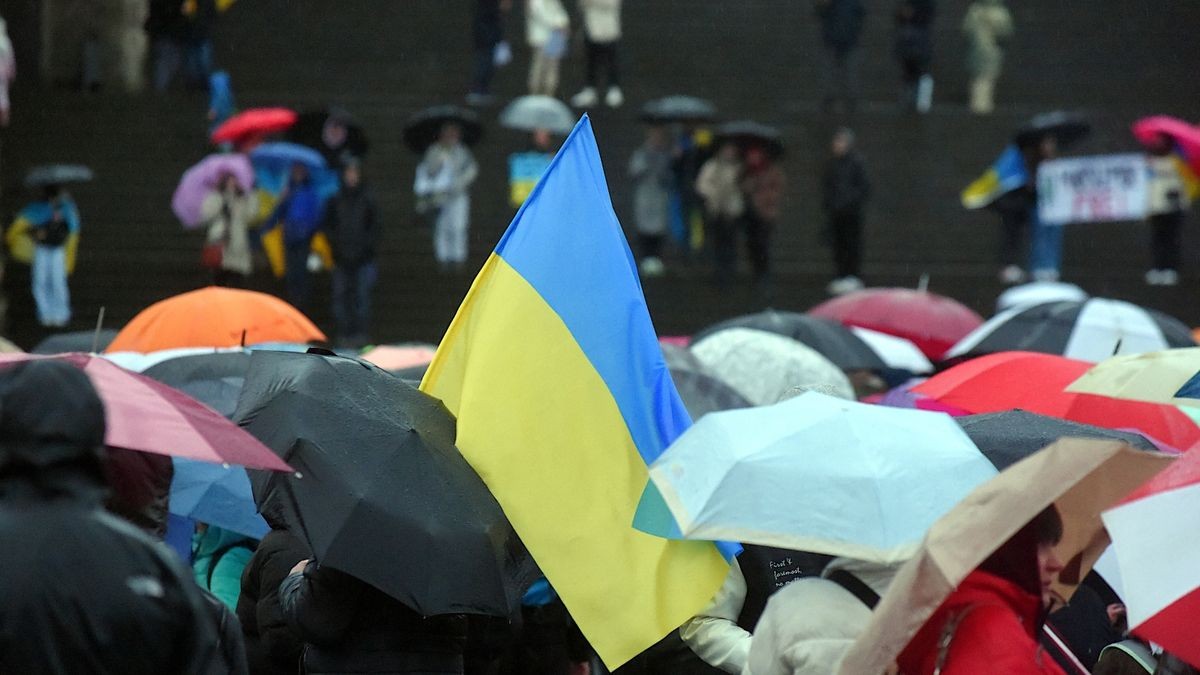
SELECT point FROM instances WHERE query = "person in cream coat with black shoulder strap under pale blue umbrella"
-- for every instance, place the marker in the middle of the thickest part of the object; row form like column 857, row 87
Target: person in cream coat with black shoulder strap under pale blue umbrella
column 811, row 625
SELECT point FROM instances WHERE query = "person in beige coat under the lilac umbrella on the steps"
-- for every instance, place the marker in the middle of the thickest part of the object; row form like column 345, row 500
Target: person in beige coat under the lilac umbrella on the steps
column 227, row 212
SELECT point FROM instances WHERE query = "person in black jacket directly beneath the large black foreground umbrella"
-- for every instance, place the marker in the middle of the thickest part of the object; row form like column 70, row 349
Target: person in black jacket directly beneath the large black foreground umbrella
column 350, row 626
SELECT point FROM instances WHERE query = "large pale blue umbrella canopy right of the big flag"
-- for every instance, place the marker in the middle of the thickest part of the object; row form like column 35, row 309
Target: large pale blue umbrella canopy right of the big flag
column 819, row 474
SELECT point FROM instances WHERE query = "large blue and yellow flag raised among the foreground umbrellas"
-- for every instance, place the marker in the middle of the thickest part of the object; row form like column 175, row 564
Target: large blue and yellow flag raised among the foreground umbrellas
column 562, row 396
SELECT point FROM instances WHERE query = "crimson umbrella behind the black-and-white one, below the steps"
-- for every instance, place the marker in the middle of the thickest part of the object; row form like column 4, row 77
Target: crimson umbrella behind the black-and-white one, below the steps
column 932, row 322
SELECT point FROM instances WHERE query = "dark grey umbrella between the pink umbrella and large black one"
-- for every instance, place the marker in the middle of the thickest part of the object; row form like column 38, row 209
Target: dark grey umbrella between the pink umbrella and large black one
column 215, row 380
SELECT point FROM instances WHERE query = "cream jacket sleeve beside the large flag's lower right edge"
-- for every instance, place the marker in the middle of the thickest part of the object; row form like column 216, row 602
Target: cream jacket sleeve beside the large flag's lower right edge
column 715, row 635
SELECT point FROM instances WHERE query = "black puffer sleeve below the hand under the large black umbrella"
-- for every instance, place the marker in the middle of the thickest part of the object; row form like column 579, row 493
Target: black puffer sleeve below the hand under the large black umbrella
column 317, row 607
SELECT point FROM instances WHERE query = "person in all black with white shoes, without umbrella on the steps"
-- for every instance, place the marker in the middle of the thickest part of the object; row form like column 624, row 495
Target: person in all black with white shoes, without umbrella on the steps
column 845, row 190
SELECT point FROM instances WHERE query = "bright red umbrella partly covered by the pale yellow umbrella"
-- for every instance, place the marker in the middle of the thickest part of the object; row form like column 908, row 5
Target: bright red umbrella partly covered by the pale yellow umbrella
column 1036, row 384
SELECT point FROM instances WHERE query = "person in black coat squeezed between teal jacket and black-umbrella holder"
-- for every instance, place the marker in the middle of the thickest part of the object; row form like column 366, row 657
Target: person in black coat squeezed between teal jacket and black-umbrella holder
column 272, row 647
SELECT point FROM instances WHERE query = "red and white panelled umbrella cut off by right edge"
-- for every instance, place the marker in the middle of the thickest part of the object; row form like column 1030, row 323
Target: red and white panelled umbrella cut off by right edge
column 1159, row 554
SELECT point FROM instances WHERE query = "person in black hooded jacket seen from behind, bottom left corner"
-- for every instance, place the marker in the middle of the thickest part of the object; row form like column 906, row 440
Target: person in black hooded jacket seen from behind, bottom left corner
column 83, row 592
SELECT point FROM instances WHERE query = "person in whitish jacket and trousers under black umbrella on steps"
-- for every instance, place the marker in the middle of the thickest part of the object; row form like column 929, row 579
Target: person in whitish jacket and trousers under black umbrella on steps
column 443, row 188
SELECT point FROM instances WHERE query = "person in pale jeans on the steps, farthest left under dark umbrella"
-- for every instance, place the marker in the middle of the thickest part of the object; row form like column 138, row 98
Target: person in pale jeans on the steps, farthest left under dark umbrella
column 52, row 222
